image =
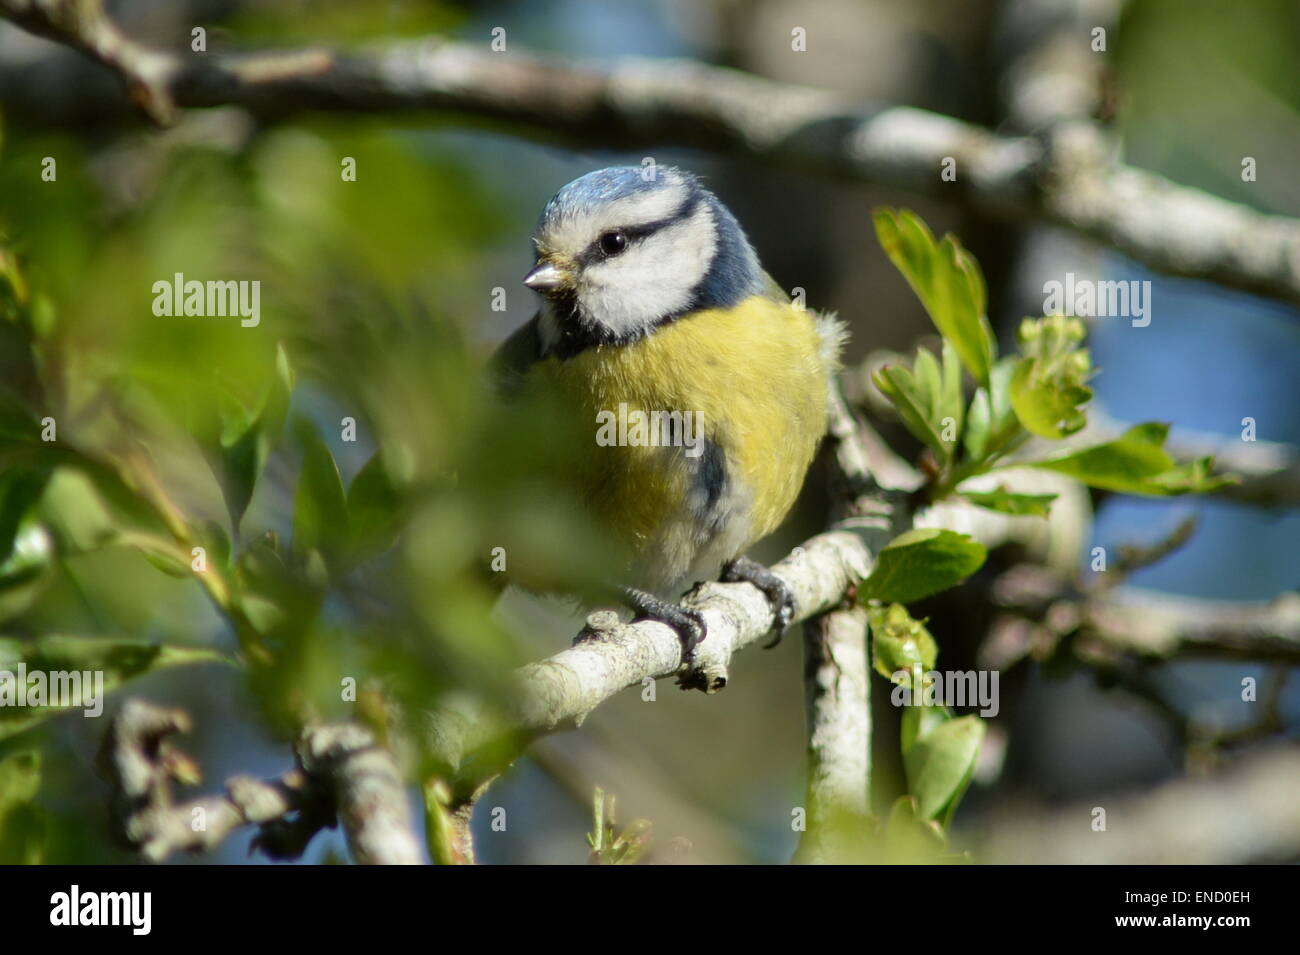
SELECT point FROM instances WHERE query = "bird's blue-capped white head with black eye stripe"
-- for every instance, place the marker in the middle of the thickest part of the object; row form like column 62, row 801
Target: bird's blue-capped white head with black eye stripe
column 625, row 250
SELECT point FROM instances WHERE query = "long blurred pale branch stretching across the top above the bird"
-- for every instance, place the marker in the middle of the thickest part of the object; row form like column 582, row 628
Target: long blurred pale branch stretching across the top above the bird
column 1067, row 176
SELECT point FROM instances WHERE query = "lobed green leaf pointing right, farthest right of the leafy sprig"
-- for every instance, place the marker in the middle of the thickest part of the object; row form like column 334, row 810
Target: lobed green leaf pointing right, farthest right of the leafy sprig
column 1137, row 463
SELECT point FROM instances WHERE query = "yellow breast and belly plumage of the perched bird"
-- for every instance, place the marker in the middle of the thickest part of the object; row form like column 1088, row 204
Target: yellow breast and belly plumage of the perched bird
column 712, row 420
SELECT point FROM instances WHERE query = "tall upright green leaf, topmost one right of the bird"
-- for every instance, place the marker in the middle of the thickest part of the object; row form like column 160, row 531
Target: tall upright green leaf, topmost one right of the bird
column 947, row 280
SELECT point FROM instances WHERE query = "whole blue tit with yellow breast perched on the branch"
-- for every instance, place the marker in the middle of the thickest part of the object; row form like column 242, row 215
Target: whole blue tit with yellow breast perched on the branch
column 655, row 303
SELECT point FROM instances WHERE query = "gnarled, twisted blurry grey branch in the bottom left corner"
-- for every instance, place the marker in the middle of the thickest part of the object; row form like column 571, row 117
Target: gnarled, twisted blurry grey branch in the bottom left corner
column 341, row 774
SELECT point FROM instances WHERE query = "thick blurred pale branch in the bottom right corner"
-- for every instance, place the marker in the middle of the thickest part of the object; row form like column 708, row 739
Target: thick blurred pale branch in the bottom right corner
column 1247, row 815
